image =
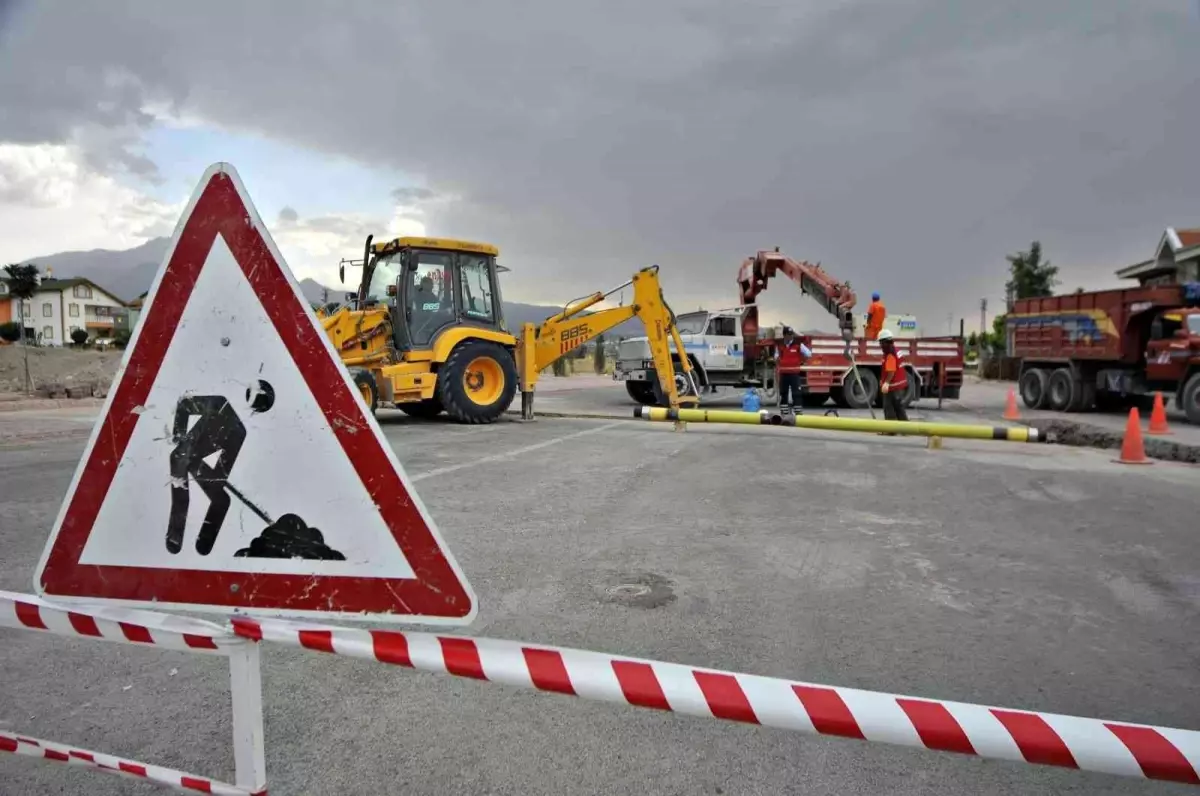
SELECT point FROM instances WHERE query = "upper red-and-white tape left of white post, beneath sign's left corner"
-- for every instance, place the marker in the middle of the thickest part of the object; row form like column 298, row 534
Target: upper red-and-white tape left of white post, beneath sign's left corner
column 128, row 626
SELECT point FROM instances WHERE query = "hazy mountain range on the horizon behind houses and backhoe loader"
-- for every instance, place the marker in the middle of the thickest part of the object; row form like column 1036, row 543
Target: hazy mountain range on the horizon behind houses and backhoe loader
column 129, row 274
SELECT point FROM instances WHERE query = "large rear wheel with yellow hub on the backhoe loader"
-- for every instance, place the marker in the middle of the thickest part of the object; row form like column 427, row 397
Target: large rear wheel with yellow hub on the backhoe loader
column 478, row 382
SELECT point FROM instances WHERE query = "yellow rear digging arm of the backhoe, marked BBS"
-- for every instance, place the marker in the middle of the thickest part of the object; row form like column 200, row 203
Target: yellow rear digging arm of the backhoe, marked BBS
column 538, row 348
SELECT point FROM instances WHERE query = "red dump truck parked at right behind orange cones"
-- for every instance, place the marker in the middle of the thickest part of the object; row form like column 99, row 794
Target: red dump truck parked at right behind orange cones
column 1099, row 350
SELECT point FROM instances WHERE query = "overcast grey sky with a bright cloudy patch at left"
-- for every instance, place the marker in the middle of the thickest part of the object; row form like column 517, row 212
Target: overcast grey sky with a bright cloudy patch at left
column 908, row 145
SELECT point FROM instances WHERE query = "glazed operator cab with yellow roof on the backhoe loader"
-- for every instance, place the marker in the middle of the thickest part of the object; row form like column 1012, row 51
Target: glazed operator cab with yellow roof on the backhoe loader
column 430, row 285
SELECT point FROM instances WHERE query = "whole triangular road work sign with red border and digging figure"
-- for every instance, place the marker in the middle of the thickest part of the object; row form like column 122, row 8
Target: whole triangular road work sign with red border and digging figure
column 235, row 466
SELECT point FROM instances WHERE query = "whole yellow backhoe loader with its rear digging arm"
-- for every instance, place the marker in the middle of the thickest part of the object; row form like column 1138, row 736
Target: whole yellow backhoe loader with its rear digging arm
column 425, row 332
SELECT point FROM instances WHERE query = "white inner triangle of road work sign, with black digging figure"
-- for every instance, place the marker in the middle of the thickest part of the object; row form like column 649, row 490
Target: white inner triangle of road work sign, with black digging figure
column 203, row 456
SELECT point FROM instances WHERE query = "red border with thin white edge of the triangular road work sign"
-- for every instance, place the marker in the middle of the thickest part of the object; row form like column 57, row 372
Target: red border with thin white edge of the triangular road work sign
column 437, row 595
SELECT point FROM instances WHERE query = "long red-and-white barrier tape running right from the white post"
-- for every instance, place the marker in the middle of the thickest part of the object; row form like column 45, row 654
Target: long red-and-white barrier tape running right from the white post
column 1048, row 739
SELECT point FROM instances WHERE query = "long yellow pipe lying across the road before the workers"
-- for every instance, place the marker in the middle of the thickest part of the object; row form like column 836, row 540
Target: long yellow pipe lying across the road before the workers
column 911, row 428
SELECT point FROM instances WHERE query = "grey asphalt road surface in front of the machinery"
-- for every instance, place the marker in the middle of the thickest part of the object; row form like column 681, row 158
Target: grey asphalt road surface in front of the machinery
column 1027, row 577
